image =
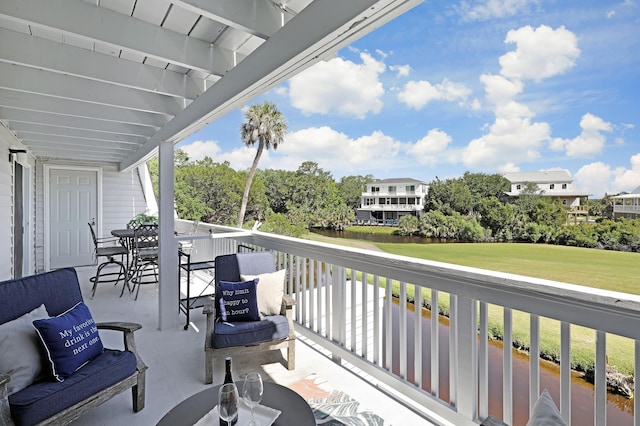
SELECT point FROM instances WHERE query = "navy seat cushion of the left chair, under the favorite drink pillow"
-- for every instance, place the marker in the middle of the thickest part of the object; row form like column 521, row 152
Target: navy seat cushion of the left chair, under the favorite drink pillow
column 46, row 398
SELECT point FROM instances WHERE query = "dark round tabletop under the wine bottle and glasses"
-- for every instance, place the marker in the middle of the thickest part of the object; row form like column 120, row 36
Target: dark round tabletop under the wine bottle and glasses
column 294, row 409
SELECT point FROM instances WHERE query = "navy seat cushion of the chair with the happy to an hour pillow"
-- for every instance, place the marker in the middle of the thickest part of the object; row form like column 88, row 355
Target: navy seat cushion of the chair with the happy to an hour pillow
column 274, row 327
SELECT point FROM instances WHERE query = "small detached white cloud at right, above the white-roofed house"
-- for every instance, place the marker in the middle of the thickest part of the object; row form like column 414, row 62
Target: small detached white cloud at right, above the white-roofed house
column 589, row 142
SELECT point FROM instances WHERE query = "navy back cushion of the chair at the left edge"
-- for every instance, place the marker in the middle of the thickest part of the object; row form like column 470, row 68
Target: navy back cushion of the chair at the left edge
column 58, row 290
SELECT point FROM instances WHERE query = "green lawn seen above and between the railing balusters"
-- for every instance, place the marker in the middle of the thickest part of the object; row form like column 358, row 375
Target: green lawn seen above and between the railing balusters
column 616, row 271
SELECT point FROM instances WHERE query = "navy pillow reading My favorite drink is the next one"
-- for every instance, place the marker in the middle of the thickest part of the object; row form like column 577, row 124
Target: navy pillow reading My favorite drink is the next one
column 71, row 340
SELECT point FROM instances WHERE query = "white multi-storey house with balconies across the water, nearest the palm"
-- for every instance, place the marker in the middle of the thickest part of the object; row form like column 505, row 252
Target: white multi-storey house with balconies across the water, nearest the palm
column 385, row 201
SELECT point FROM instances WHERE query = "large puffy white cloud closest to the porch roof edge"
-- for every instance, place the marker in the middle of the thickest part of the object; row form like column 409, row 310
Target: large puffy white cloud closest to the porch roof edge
column 339, row 86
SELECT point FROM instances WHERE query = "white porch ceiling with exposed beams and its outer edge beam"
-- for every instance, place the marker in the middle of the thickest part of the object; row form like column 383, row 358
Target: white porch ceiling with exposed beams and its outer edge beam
column 108, row 80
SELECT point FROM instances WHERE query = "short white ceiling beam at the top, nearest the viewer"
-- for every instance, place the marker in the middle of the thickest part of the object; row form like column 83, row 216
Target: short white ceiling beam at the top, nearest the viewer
column 259, row 18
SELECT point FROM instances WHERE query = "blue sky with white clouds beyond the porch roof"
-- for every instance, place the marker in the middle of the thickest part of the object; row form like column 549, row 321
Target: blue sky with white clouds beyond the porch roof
column 478, row 85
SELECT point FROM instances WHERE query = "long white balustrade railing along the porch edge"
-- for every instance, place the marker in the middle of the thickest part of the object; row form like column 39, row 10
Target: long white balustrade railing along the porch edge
column 352, row 319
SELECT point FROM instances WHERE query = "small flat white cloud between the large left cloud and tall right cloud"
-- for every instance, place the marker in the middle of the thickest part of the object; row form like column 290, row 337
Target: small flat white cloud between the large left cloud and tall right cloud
column 416, row 94
